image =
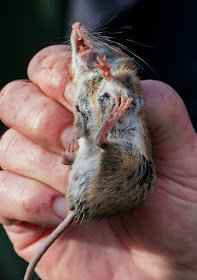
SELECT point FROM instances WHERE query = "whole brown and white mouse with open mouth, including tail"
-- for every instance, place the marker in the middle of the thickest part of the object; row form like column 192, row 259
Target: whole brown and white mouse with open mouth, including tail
column 109, row 150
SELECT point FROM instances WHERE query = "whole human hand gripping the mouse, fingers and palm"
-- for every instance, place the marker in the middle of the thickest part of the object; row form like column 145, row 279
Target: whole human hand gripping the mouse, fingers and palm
column 156, row 241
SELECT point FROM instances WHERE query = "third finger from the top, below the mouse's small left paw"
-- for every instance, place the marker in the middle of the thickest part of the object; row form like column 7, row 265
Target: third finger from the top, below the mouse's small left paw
column 20, row 155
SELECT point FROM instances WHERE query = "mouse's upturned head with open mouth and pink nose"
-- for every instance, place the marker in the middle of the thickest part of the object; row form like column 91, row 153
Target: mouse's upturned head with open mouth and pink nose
column 86, row 48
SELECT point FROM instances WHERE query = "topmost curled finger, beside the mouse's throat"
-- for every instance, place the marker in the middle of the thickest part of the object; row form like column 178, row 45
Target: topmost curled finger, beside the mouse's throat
column 49, row 70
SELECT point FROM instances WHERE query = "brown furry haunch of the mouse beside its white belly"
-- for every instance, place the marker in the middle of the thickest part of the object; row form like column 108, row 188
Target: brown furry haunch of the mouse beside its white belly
column 116, row 184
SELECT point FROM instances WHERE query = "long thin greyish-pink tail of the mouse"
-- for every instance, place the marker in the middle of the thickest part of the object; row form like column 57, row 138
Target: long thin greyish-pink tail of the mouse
column 49, row 241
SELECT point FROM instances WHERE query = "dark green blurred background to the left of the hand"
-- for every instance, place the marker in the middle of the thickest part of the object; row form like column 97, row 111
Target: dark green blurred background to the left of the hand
column 26, row 27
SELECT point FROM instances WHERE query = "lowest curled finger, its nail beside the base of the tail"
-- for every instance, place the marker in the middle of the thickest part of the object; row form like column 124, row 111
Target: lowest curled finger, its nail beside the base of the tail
column 31, row 201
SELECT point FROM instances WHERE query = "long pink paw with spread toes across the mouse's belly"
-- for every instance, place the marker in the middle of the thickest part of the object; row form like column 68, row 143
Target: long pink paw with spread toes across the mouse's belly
column 112, row 118
